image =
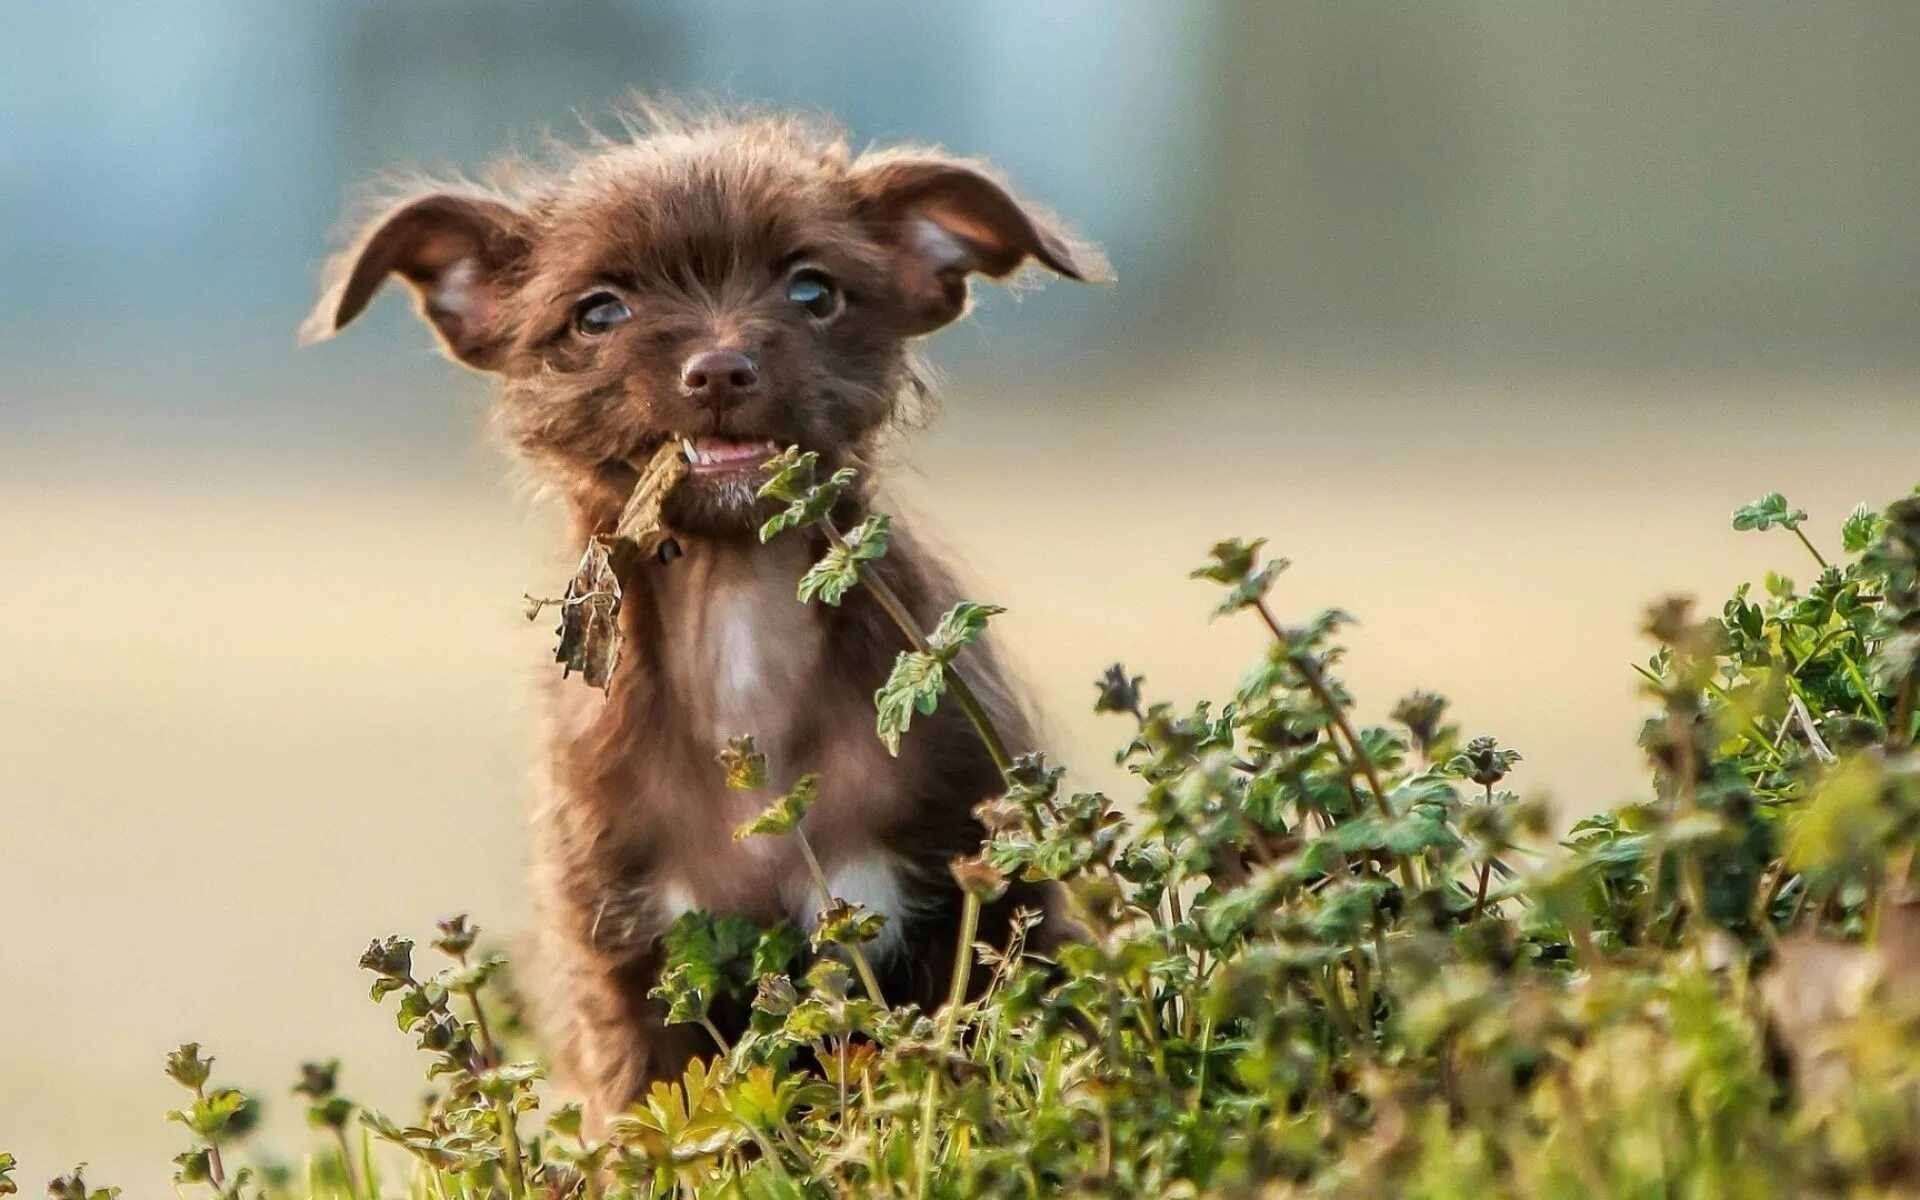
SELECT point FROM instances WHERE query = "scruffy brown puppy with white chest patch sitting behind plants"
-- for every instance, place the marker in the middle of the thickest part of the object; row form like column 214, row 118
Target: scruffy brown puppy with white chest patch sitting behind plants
column 750, row 285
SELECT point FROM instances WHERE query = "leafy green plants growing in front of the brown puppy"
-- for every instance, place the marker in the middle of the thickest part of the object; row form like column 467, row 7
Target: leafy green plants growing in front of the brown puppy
column 1322, row 957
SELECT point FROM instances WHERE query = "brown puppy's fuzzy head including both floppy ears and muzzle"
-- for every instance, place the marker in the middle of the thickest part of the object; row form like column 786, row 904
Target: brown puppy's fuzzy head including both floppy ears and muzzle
column 744, row 285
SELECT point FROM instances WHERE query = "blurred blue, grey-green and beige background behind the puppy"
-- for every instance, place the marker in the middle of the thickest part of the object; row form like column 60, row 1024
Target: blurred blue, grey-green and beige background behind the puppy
column 1485, row 314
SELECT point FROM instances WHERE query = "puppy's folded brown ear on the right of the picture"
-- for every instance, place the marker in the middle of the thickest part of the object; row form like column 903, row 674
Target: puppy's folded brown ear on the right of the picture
column 946, row 220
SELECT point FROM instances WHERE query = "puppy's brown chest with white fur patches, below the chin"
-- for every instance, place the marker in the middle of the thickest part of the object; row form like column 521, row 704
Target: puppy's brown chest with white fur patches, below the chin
column 738, row 654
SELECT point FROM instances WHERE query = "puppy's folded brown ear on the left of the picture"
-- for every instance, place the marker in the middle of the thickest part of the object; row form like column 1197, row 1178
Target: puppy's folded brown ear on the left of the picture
column 456, row 252
